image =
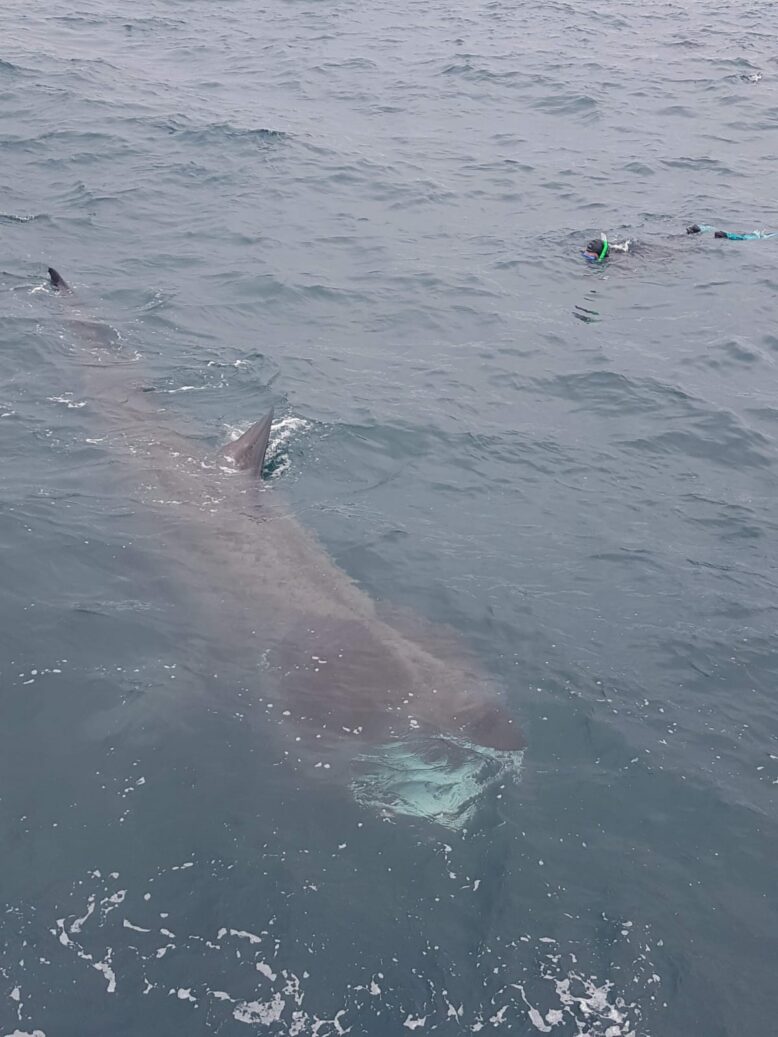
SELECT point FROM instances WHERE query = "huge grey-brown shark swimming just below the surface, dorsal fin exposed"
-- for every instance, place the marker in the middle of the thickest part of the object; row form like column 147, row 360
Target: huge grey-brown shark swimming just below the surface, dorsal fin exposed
column 372, row 693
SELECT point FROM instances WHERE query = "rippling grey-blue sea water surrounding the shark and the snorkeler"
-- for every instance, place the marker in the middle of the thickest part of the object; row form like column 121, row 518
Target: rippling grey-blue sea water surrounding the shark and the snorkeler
column 370, row 217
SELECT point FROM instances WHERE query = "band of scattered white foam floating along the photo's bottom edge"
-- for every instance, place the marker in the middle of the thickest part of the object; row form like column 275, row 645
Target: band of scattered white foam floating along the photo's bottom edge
column 261, row 975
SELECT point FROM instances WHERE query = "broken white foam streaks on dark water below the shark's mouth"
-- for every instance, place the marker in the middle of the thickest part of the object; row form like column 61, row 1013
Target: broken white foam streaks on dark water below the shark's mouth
column 543, row 983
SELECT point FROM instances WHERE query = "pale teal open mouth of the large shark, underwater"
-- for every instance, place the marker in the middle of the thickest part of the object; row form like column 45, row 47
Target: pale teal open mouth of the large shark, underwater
column 441, row 779
